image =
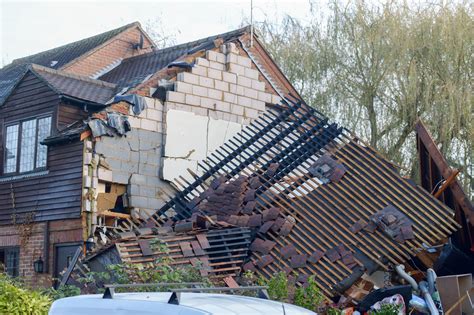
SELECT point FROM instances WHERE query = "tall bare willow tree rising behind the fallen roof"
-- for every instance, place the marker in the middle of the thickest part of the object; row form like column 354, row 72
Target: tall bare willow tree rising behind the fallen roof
column 377, row 68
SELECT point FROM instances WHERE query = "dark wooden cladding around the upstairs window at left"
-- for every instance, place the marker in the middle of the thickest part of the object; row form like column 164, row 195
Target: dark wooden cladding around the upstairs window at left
column 57, row 194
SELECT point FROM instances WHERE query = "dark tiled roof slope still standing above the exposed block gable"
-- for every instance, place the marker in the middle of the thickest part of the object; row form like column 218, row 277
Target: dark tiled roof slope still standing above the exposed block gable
column 135, row 70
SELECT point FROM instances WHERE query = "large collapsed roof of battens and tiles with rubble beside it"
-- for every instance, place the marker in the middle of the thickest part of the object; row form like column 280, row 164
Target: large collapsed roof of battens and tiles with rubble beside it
column 295, row 193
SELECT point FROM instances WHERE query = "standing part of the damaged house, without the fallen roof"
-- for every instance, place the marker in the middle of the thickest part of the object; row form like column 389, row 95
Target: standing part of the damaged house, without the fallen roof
column 92, row 133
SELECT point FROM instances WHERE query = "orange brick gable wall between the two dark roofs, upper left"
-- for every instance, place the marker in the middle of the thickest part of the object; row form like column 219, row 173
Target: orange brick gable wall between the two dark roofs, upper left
column 110, row 54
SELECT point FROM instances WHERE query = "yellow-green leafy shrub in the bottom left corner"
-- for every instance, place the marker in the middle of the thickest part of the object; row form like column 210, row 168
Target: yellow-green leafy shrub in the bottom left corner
column 17, row 299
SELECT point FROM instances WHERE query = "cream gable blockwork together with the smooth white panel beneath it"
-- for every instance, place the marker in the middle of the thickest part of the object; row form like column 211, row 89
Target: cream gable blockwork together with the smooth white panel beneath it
column 208, row 106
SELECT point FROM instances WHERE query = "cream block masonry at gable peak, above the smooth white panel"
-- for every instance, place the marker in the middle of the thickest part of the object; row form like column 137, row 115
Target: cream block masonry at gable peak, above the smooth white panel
column 222, row 83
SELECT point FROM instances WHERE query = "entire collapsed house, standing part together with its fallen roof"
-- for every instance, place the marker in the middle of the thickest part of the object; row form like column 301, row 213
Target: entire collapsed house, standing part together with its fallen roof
column 110, row 148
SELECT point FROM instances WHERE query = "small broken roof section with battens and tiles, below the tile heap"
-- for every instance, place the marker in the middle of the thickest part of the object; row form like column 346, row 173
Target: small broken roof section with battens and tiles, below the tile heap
column 216, row 252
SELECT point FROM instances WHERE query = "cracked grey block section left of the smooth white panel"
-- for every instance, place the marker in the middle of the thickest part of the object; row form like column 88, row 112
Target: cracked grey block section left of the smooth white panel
column 135, row 159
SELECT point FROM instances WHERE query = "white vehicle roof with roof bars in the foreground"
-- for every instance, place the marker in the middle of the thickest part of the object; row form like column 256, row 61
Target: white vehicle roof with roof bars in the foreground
column 176, row 302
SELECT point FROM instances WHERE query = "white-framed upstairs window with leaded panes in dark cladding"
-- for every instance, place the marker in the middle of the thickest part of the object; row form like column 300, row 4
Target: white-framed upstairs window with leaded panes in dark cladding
column 23, row 149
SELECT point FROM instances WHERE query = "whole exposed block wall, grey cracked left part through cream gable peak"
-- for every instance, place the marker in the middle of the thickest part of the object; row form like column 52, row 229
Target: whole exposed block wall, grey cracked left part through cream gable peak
column 208, row 105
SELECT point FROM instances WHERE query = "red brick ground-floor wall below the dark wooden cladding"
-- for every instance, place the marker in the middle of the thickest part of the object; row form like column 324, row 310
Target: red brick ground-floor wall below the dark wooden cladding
column 61, row 231
